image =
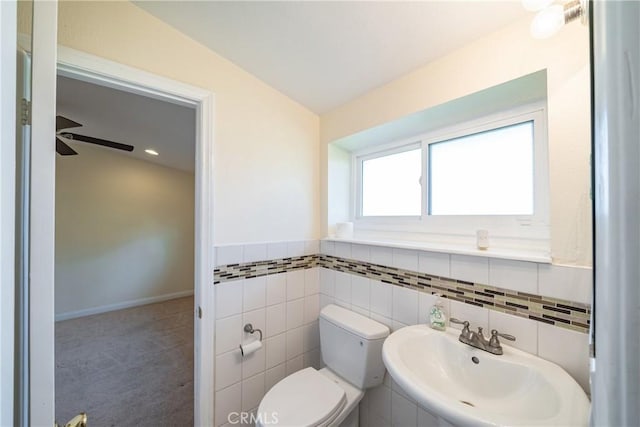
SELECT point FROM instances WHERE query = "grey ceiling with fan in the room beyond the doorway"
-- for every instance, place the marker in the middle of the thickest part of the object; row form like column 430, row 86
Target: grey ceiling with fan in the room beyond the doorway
column 131, row 119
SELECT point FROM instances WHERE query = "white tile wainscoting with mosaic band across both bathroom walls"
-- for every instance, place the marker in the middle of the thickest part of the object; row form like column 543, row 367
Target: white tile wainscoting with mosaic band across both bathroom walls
column 393, row 286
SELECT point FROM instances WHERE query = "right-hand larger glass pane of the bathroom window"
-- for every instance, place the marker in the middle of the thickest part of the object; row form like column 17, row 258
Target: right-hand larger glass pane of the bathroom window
column 485, row 173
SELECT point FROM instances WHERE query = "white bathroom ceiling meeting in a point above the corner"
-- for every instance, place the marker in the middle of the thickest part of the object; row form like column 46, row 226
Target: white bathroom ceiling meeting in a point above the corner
column 325, row 53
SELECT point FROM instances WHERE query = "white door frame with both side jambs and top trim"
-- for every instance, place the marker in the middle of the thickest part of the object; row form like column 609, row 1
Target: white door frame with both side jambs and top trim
column 81, row 66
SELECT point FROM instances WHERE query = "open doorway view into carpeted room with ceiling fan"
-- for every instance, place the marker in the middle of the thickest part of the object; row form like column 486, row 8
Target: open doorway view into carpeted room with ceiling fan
column 124, row 256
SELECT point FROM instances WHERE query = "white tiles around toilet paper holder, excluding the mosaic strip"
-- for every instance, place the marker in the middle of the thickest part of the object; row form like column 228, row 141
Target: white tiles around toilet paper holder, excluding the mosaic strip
column 285, row 306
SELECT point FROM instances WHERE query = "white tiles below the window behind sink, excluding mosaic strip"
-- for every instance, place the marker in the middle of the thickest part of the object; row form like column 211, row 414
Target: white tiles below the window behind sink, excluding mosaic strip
column 394, row 306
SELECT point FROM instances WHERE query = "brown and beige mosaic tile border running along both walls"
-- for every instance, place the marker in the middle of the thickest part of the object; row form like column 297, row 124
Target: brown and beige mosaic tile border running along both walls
column 562, row 313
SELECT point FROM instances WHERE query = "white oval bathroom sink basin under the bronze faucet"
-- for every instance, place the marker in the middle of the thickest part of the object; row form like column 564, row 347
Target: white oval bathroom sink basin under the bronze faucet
column 470, row 387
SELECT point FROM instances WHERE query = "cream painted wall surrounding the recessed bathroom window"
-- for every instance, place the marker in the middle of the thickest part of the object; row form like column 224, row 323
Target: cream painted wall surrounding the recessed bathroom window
column 499, row 57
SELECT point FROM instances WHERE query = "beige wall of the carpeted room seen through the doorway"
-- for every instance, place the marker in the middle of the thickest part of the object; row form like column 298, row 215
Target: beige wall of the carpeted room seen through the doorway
column 124, row 231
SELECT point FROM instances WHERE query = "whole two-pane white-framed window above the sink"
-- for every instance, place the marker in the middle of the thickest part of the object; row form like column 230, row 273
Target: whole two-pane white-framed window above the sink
column 487, row 174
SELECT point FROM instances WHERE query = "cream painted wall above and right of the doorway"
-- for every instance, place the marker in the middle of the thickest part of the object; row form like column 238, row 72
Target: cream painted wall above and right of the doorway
column 266, row 145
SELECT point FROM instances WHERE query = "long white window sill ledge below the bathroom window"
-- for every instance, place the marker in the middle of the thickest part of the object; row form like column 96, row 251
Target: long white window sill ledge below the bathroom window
column 501, row 253
